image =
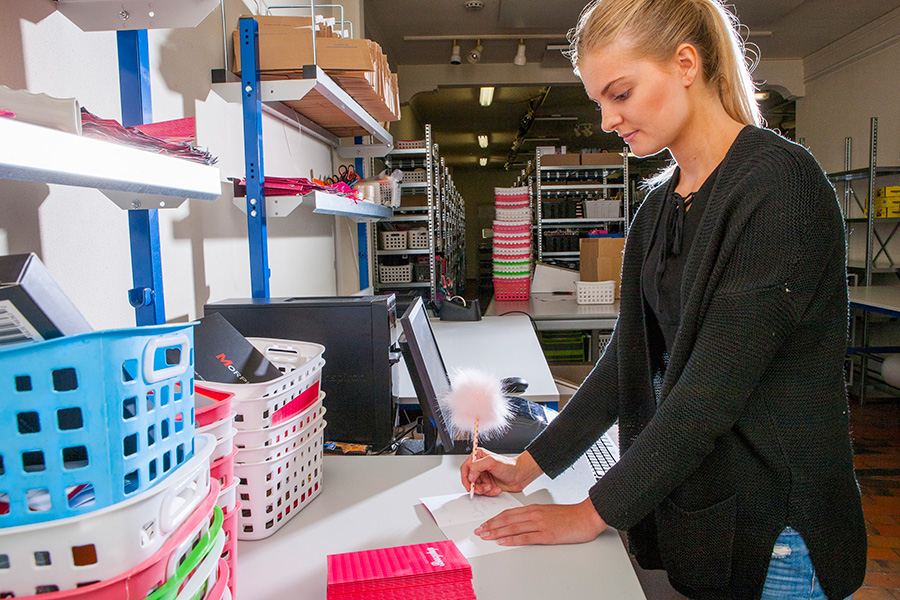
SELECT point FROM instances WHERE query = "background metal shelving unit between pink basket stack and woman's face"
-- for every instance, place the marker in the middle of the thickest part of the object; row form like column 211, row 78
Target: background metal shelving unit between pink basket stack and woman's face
column 595, row 186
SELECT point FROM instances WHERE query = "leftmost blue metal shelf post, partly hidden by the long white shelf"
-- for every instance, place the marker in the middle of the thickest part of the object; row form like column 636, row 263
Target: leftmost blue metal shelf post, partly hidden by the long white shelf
column 143, row 225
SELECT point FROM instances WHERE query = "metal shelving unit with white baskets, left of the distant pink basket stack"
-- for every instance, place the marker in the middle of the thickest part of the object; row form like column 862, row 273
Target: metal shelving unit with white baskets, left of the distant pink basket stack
column 443, row 216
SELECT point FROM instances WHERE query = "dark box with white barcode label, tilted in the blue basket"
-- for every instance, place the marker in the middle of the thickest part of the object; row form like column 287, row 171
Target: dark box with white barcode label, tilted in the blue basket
column 33, row 307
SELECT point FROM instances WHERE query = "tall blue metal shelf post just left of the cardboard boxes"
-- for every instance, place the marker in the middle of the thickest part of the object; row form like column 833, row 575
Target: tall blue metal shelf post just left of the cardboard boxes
column 253, row 158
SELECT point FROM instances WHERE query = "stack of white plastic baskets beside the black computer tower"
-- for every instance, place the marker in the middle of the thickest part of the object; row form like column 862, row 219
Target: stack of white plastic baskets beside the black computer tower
column 279, row 438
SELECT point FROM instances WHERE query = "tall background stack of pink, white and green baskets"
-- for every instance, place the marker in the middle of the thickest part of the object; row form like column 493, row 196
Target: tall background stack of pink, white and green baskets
column 512, row 244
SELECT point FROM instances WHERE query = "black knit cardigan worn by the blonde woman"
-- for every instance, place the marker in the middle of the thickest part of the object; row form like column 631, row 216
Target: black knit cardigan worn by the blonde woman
column 750, row 433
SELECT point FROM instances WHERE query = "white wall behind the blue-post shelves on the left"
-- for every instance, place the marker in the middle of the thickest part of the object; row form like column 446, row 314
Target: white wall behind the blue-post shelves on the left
column 83, row 238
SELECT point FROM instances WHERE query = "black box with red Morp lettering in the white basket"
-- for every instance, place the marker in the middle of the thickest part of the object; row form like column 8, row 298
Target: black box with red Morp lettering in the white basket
column 223, row 355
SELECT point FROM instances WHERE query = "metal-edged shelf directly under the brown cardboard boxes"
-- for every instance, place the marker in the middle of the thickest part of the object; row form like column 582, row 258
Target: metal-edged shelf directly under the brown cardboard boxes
column 316, row 87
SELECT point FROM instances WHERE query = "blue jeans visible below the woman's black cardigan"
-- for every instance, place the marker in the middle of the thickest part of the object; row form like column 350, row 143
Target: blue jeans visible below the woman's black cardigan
column 791, row 575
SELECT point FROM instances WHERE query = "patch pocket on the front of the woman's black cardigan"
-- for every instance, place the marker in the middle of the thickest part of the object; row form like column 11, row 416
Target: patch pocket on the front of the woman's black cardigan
column 696, row 546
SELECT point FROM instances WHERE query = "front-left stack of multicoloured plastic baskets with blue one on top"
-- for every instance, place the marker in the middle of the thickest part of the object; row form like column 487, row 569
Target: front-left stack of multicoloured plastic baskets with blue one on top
column 106, row 492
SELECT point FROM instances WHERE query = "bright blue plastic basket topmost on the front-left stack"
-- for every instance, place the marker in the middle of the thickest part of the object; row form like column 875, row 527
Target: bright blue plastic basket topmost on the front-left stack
column 92, row 419
